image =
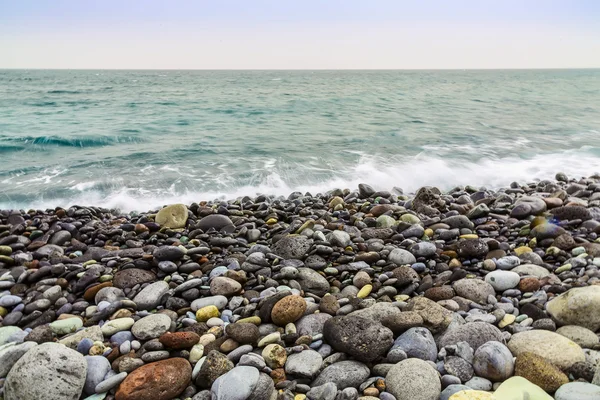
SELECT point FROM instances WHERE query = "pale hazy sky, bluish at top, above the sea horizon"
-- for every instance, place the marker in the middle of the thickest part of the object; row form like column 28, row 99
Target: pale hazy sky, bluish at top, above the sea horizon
column 302, row 34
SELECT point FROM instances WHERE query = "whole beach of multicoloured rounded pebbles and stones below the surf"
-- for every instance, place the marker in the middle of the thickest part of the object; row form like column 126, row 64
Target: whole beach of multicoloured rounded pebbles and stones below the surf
column 471, row 294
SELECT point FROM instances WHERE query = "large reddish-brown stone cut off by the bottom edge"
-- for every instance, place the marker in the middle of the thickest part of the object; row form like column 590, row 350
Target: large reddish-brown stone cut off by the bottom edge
column 161, row 380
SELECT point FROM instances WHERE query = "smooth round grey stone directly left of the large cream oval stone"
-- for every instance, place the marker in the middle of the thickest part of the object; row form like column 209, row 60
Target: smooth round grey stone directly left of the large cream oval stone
column 494, row 361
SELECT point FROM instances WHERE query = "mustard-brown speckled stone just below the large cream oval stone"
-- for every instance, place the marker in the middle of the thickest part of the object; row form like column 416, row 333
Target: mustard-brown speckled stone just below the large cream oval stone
column 540, row 371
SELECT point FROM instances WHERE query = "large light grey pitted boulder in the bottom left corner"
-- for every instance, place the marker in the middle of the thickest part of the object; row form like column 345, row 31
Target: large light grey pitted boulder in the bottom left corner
column 47, row 371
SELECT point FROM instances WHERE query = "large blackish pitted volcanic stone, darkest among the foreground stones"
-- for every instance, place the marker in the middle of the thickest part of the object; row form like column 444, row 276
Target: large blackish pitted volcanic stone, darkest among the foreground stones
column 359, row 337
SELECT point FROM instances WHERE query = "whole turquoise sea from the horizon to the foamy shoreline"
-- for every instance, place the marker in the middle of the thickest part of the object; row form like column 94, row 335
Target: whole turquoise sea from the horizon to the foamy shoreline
column 136, row 140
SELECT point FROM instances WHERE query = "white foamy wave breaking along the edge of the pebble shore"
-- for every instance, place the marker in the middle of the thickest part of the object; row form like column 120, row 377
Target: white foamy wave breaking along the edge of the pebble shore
column 273, row 179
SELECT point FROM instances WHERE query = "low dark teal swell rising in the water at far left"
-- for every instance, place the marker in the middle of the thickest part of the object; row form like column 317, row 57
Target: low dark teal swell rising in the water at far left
column 73, row 141
